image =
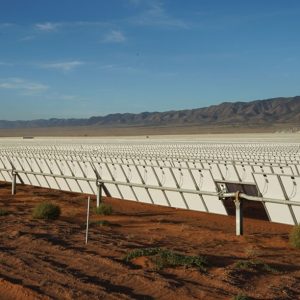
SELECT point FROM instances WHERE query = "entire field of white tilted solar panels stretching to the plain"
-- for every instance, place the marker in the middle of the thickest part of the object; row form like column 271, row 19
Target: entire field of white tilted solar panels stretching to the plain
column 189, row 175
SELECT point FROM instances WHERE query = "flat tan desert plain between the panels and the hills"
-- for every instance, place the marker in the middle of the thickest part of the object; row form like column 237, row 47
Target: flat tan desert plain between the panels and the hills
column 98, row 131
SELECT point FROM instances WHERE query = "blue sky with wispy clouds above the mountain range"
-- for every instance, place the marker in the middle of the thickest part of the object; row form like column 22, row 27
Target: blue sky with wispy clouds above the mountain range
column 83, row 58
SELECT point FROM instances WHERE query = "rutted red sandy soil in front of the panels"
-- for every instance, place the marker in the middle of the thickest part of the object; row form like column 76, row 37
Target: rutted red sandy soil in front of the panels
column 49, row 259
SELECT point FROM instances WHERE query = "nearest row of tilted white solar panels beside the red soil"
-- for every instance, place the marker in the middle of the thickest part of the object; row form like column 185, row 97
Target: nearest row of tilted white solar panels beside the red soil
column 173, row 186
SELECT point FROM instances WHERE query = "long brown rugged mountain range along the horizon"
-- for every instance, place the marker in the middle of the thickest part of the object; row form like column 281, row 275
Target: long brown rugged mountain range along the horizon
column 254, row 113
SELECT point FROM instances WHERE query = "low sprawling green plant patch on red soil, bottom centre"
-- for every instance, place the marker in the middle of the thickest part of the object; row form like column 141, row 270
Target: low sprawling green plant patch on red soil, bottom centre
column 166, row 258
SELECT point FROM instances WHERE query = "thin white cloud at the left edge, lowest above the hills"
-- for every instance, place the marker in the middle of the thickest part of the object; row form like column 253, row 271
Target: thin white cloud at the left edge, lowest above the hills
column 22, row 85
